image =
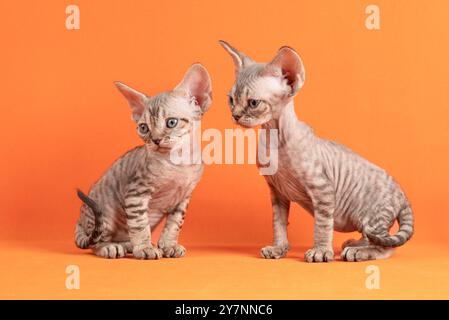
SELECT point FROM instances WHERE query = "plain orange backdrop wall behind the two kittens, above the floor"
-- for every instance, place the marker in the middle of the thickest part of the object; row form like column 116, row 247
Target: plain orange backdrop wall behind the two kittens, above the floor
column 382, row 93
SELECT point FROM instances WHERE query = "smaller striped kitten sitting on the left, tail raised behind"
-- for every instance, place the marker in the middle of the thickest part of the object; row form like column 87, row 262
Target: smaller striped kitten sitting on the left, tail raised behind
column 144, row 185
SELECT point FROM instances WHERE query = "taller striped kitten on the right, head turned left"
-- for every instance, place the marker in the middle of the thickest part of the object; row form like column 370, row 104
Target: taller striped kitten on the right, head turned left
column 340, row 189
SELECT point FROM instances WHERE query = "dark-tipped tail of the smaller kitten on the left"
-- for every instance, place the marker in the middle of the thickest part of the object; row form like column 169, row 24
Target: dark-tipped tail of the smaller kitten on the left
column 94, row 237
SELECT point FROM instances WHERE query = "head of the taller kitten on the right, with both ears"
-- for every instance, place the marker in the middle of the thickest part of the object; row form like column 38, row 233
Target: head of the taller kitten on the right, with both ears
column 261, row 90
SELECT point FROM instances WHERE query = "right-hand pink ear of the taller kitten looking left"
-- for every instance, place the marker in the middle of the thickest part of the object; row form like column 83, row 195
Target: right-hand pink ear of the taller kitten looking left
column 291, row 66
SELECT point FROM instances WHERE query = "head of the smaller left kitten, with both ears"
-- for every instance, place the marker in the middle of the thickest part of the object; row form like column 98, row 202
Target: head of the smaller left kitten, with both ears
column 167, row 119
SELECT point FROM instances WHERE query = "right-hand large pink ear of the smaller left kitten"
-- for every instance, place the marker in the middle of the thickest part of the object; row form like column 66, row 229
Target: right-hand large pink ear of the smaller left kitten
column 196, row 84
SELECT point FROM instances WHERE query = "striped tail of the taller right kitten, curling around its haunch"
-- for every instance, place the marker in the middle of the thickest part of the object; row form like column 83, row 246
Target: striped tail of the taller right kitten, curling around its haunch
column 405, row 232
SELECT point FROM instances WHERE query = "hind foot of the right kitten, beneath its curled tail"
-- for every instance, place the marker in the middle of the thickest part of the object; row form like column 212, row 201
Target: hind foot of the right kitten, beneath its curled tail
column 362, row 250
